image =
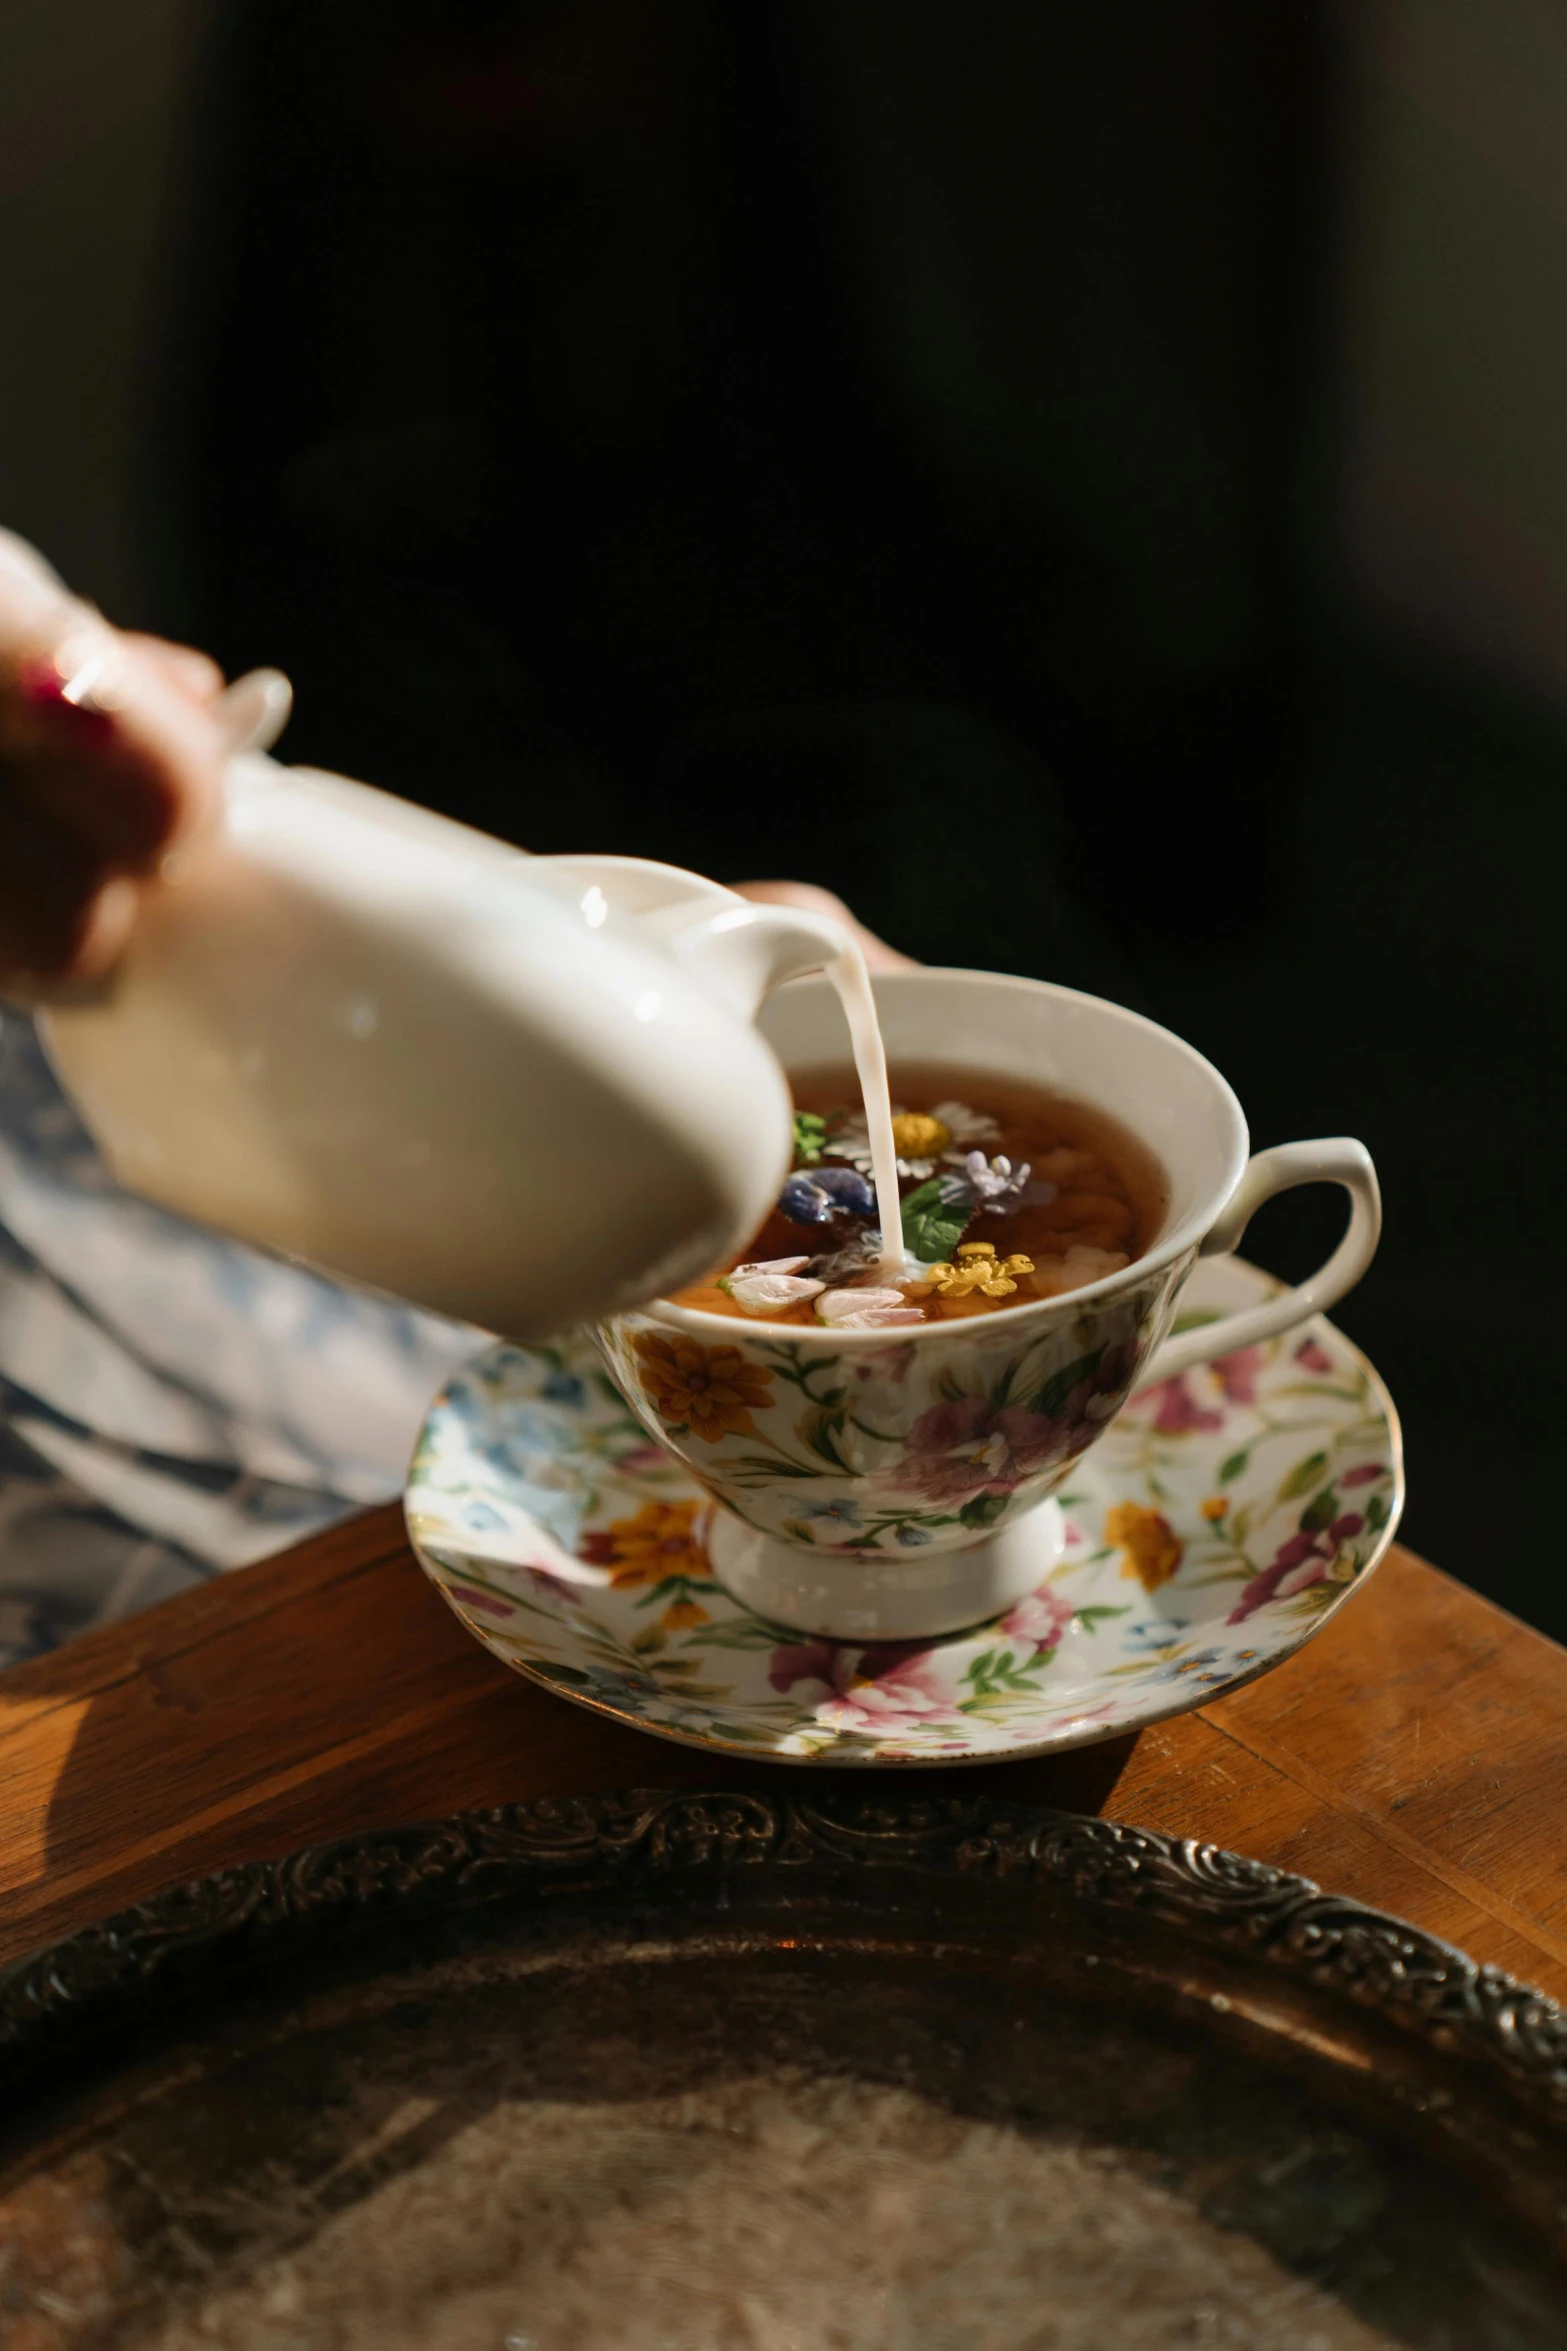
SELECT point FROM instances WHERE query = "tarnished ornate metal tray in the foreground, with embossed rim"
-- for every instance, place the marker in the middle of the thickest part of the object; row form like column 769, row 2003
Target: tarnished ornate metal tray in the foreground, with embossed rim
column 758, row 2075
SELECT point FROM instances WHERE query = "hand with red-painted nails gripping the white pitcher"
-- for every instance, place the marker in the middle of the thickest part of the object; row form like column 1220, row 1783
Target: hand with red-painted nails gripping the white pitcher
column 112, row 751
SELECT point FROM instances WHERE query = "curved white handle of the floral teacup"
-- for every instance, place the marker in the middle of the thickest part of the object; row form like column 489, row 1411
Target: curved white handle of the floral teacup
column 1282, row 1170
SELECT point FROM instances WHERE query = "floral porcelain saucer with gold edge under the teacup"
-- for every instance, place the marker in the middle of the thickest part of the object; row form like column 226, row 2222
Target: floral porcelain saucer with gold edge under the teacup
column 1218, row 1525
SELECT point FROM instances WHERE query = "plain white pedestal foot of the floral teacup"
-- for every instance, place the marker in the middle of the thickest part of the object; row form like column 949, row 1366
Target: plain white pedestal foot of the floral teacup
column 885, row 1595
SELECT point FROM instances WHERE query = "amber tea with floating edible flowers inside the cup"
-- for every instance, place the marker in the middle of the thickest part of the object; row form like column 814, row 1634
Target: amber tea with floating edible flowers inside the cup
column 1007, row 1195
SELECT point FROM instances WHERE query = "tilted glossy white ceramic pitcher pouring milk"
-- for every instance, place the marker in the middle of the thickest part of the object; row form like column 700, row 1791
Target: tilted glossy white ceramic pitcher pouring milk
column 523, row 1092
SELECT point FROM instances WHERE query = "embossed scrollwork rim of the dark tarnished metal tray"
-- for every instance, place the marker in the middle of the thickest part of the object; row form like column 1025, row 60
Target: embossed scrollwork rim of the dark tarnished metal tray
column 647, row 1844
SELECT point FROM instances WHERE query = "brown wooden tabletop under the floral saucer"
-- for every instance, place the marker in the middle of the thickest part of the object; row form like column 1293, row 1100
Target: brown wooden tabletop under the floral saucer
column 1415, row 1755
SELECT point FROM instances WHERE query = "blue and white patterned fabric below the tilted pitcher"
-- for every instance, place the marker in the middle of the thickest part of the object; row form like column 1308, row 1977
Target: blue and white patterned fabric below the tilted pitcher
column 170, row 1405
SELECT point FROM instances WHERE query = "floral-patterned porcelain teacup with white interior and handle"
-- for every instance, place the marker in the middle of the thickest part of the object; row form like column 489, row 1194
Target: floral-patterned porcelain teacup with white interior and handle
column 899, row 1487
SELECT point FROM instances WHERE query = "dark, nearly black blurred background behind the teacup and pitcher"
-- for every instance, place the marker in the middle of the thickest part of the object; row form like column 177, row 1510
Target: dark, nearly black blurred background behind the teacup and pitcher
column 1084, row 483
